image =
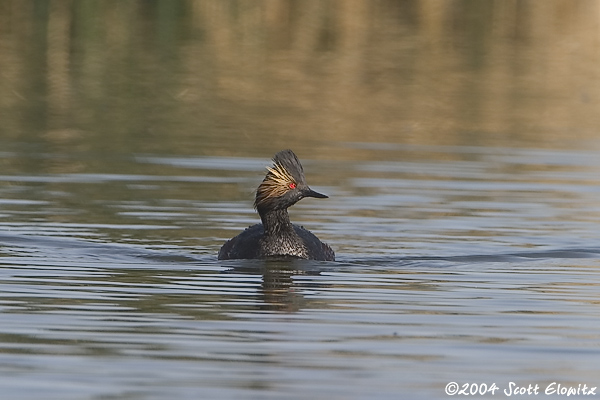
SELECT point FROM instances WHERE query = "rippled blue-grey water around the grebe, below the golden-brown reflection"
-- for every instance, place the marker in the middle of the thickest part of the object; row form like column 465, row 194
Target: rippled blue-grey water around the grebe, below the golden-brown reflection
column 484, row 269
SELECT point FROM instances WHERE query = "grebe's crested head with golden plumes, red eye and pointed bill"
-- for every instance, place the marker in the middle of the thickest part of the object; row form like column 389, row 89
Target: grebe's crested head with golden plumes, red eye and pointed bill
column 284, row 184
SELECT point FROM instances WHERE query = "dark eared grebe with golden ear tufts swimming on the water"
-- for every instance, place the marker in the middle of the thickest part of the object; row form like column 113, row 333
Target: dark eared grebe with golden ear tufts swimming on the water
column 283, row 186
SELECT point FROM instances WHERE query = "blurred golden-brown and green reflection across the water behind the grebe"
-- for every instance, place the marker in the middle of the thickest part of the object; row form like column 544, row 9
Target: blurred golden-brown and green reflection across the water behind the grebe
column 249, row 78
